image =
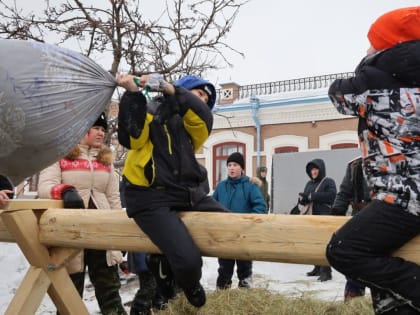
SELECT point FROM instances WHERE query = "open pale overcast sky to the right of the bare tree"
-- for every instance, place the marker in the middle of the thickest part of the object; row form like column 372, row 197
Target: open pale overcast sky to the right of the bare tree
column 300, row 38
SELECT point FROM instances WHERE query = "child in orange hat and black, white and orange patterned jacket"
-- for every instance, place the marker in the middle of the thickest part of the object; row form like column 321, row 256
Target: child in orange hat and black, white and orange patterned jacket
column 385, row 95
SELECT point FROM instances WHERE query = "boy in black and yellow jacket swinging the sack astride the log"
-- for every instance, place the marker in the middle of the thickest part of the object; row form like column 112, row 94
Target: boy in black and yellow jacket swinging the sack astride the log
column 162, row 175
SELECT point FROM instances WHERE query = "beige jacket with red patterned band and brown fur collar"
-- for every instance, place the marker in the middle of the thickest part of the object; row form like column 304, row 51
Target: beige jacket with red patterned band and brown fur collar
column 91, row 172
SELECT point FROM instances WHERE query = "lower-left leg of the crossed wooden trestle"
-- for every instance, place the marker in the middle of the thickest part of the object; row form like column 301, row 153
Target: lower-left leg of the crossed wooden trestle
column 30, row 293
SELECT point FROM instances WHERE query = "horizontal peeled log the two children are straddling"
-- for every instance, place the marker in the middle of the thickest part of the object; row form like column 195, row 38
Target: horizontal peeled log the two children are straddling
column 272, row 237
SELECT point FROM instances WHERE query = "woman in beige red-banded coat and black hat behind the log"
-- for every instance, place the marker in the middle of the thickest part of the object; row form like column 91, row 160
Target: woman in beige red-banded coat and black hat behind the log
column 85, row 178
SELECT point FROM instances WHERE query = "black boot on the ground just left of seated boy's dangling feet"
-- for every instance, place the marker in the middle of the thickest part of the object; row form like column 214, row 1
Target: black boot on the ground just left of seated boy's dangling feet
column 142, row 302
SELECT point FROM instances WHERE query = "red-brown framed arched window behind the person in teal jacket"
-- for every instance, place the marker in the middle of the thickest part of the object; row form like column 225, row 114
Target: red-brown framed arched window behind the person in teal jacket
column 220, row 154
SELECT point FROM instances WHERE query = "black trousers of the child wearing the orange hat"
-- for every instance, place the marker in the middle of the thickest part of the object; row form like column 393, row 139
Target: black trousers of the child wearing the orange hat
column 362, row 249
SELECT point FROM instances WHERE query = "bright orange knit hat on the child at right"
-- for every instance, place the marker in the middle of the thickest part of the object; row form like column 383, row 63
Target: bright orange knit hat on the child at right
column 397, row 26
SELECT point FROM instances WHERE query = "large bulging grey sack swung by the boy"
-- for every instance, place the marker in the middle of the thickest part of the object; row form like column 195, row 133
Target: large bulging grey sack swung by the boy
column 49, row 98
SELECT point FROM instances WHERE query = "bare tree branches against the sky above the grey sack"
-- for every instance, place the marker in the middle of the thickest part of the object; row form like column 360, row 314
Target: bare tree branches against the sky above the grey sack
column 186, row 37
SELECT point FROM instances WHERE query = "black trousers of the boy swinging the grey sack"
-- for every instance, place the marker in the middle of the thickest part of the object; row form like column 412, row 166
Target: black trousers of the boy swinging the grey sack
column 167, row 231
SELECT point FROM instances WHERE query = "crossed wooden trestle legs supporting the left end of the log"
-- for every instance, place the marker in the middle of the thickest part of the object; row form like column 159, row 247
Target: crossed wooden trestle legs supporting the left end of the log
column 41, row 277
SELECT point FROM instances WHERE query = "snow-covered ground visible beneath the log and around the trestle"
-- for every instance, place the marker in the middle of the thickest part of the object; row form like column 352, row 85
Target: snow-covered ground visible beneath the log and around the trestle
column 288, row 279
